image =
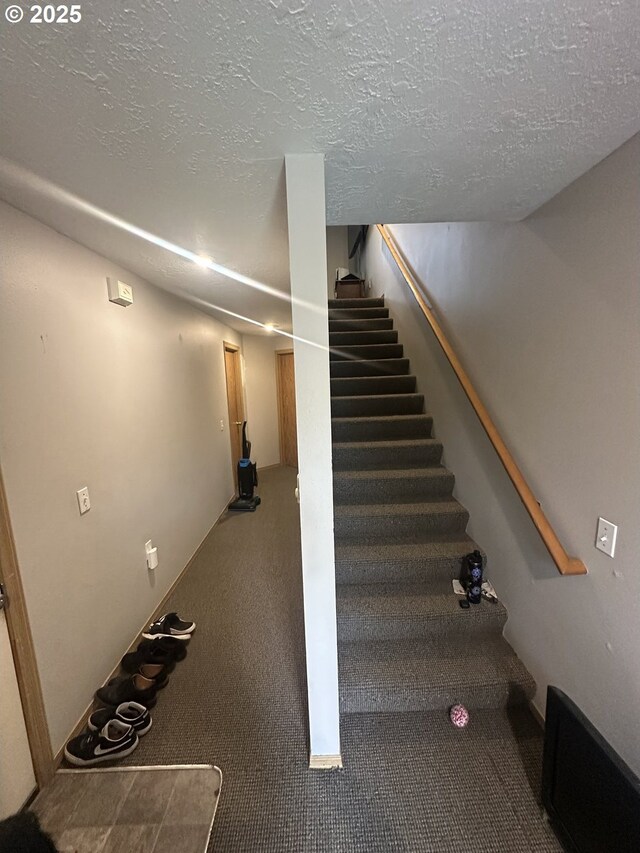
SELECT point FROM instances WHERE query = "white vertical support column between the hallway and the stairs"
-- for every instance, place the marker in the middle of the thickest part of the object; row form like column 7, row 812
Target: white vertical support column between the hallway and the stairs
column 308, row 270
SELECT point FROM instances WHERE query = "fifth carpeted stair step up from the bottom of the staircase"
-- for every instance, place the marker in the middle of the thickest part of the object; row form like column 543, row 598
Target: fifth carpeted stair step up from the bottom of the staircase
column 392, row 486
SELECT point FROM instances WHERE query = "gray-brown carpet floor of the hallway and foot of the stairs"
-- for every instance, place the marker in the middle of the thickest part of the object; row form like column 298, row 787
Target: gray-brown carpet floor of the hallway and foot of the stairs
column 411, row 781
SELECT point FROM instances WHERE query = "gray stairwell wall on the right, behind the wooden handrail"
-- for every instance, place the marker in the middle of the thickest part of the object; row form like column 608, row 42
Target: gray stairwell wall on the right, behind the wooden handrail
column 545, row 317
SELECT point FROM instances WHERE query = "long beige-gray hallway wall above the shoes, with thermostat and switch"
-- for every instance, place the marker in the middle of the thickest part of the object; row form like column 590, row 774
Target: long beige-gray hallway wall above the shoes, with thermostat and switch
column 126, row 401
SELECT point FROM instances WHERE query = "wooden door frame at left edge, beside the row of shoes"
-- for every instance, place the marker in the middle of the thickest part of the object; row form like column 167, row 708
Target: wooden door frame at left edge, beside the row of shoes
column 23, row 651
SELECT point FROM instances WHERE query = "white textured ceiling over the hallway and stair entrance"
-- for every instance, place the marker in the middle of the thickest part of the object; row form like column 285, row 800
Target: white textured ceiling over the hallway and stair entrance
column 176, row 117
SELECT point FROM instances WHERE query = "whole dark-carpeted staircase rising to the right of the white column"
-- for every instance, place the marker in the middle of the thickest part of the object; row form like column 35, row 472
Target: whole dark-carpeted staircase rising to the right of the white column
column 404, row 642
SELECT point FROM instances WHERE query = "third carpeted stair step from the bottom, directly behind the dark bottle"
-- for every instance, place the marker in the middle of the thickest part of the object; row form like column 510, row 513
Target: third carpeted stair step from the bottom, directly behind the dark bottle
column 405, row 562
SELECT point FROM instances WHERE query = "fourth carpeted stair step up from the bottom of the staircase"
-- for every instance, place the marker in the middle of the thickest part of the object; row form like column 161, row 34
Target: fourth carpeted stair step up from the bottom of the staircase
column 414, row 522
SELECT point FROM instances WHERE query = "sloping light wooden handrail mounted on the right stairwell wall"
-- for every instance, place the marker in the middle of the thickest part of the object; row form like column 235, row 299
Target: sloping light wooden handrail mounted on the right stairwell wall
column 566, row 565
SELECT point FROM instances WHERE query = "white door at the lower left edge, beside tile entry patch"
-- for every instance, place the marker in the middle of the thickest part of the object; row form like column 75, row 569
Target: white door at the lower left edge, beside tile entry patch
column 17, row 779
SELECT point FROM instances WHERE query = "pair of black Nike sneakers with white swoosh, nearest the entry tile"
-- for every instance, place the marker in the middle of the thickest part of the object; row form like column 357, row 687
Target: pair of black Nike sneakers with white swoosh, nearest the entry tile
column 113, row 733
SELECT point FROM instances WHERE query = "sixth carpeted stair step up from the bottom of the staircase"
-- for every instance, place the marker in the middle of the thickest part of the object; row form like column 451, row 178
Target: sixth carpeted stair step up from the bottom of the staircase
column 371, row 455
